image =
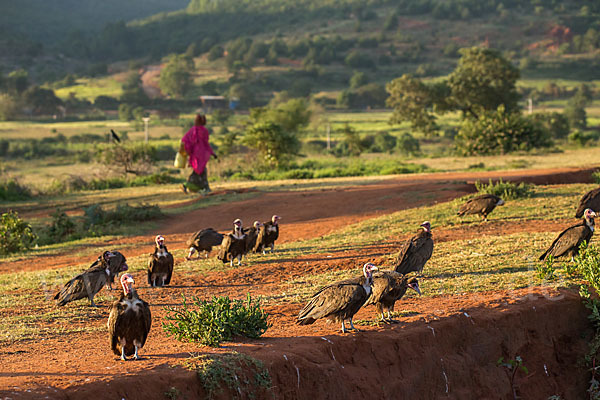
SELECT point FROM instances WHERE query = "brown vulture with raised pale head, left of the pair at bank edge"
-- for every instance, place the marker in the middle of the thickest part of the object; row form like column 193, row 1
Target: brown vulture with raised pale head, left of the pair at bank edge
column 339, row 301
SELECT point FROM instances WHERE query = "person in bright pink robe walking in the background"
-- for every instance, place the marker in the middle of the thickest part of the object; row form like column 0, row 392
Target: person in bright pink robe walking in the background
column 195, row 143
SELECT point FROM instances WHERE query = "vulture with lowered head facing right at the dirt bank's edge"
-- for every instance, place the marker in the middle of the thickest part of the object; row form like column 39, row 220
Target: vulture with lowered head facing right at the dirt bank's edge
column 388, row 287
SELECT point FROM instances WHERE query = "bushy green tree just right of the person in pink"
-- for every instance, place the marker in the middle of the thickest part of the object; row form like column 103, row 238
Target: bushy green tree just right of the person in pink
column 275, row 146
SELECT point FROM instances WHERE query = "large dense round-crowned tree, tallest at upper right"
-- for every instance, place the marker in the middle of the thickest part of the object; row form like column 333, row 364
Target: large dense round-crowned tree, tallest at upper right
column 482, row 81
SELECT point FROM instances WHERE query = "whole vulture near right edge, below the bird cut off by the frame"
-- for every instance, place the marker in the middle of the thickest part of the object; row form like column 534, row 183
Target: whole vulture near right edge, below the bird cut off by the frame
column 570, row 239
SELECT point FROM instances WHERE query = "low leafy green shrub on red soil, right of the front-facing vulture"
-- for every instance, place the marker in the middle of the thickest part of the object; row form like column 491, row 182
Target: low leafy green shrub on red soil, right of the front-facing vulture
column 216, row 320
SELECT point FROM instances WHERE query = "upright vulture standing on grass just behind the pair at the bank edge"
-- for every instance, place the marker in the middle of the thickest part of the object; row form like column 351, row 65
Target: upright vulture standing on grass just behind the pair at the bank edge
column 415, row 252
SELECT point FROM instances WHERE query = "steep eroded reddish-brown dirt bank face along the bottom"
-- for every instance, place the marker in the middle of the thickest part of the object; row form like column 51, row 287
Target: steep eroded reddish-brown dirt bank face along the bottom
column 452, row 357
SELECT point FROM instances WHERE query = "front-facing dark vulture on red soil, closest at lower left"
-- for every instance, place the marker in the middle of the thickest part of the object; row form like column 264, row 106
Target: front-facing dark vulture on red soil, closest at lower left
column 129, row 321
